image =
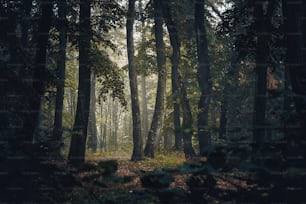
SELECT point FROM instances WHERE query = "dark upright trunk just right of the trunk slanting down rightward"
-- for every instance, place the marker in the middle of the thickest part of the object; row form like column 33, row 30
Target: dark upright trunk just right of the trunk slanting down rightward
column 204, row 79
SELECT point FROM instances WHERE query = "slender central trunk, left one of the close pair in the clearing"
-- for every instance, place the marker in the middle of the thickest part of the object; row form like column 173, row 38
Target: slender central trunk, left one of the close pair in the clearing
column 137, row 139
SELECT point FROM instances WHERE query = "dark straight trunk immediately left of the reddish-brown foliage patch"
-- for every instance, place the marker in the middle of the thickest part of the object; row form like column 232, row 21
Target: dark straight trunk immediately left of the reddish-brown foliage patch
column 262, row 27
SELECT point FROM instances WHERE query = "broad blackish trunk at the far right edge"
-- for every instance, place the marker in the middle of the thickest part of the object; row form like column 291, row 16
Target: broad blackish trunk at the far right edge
column 295, row 61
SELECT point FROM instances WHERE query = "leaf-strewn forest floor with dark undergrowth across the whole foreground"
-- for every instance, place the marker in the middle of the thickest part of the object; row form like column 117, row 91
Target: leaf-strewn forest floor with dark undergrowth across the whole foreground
column 169, row 178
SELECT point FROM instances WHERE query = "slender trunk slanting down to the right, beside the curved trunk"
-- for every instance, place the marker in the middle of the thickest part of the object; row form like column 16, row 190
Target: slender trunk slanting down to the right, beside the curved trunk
column 175, row 60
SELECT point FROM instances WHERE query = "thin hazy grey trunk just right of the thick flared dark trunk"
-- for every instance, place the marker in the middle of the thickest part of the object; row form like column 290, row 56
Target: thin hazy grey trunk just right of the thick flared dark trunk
column 92, row 124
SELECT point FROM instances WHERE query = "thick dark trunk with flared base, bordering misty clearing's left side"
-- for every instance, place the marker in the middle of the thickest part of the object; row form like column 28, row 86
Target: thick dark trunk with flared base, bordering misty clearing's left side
column 79, row 135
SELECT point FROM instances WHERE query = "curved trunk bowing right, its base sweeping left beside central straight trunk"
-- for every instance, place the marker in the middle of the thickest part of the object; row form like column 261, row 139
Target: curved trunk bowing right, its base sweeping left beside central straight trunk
column 156, row 124
